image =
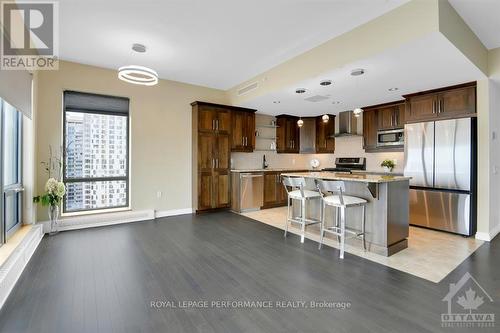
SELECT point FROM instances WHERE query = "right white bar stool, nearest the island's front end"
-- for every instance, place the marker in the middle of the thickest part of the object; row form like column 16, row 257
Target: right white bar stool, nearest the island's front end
column 340, row 202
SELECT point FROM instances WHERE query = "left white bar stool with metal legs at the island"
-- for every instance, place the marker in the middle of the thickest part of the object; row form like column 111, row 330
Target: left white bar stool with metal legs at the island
column 295, row 191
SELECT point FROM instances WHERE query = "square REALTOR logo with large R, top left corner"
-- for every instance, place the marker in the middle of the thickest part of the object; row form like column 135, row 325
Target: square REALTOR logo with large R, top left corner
column 30, row 35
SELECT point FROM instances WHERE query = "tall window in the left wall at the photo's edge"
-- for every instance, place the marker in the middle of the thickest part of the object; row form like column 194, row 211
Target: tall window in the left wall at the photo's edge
column 11, row 143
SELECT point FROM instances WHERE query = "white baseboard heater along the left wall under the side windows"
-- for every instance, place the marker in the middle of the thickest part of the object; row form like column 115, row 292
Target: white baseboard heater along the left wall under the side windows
column 12, row 268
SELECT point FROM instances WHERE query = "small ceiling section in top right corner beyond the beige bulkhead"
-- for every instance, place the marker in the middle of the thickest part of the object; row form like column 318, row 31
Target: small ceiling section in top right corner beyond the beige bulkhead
column 483, row 17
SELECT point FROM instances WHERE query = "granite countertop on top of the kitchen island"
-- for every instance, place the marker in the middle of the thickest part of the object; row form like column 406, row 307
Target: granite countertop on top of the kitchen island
column 360, row 177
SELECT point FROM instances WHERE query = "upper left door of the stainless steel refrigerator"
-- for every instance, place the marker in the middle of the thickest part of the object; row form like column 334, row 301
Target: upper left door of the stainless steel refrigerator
column 419, row 154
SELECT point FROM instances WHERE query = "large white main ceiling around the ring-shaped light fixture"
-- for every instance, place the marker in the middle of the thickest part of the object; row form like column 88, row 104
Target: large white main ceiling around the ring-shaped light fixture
column 216, row 43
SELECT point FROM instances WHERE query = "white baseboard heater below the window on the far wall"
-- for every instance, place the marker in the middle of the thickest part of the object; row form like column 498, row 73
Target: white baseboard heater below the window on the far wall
column 100, row 220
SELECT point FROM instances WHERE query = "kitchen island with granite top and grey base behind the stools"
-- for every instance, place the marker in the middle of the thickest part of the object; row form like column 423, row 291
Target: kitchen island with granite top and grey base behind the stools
column 387, row 211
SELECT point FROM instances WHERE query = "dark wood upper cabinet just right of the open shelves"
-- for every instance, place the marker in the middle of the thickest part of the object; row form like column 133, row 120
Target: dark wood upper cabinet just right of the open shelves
column 287, row 134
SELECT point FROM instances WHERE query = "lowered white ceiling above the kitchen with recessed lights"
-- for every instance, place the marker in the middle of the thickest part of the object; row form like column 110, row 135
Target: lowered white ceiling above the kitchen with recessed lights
column 411, row 68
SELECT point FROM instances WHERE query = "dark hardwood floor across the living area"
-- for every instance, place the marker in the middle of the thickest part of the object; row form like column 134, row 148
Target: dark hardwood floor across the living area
column 104, row 279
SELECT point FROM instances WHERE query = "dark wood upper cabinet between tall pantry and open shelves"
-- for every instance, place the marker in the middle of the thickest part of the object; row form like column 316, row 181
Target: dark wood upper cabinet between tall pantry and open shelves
column 243, row 131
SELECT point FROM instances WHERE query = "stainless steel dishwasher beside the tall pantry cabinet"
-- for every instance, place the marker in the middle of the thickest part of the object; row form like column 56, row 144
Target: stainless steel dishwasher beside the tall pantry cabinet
column 251, row 191
